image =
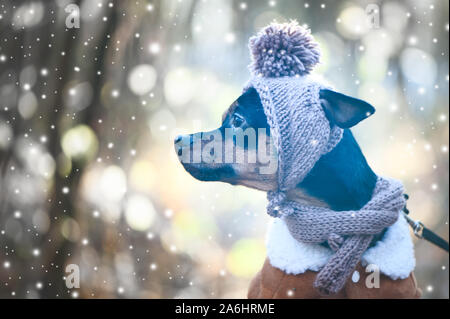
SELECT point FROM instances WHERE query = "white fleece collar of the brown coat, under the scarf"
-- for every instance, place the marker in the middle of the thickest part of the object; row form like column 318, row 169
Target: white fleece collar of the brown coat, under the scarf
column 394, row 254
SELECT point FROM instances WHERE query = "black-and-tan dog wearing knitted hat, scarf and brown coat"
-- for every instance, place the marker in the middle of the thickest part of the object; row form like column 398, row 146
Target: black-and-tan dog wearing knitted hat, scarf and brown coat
column 289, row 135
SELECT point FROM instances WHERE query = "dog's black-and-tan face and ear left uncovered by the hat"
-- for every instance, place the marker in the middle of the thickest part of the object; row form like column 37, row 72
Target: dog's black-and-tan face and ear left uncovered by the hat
column 241, row 151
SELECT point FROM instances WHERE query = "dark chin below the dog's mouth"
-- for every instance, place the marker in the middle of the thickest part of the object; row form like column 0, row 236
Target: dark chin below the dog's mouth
column 204, row 173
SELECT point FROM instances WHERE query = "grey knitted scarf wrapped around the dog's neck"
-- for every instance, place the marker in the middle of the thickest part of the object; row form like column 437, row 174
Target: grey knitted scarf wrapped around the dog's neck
column 348, row 233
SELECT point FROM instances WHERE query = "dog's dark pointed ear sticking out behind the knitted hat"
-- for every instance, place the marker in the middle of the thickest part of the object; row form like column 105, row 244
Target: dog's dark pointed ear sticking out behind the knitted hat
column 343, row 110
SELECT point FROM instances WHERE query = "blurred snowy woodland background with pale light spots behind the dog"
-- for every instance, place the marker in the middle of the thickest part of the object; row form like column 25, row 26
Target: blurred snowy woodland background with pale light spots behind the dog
column 88, row 115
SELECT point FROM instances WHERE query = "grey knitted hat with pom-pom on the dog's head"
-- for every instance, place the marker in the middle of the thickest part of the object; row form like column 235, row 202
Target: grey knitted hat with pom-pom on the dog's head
column 282, row 57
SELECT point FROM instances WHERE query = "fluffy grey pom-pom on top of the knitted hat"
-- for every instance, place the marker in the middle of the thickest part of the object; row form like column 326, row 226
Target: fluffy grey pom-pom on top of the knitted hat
column 285, row 49
